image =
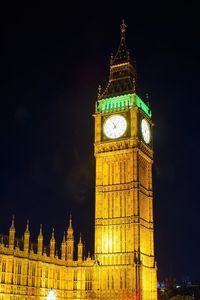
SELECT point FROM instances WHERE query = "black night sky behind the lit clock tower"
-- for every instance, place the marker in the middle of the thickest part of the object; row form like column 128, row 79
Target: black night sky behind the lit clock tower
column 52, row 59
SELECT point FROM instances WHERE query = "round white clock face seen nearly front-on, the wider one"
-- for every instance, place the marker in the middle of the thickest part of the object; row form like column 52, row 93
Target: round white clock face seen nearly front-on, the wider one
column 115, row 126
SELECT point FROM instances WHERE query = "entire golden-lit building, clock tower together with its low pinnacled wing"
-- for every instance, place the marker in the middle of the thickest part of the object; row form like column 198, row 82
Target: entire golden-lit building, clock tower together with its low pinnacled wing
column 123, row 265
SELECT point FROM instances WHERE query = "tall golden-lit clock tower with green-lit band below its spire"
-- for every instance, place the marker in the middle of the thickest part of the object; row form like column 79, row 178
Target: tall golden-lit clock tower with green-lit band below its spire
column 124, row 231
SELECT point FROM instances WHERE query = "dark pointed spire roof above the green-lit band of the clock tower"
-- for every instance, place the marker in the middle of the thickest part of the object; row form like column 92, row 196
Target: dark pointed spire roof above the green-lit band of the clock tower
column 122, row 78
